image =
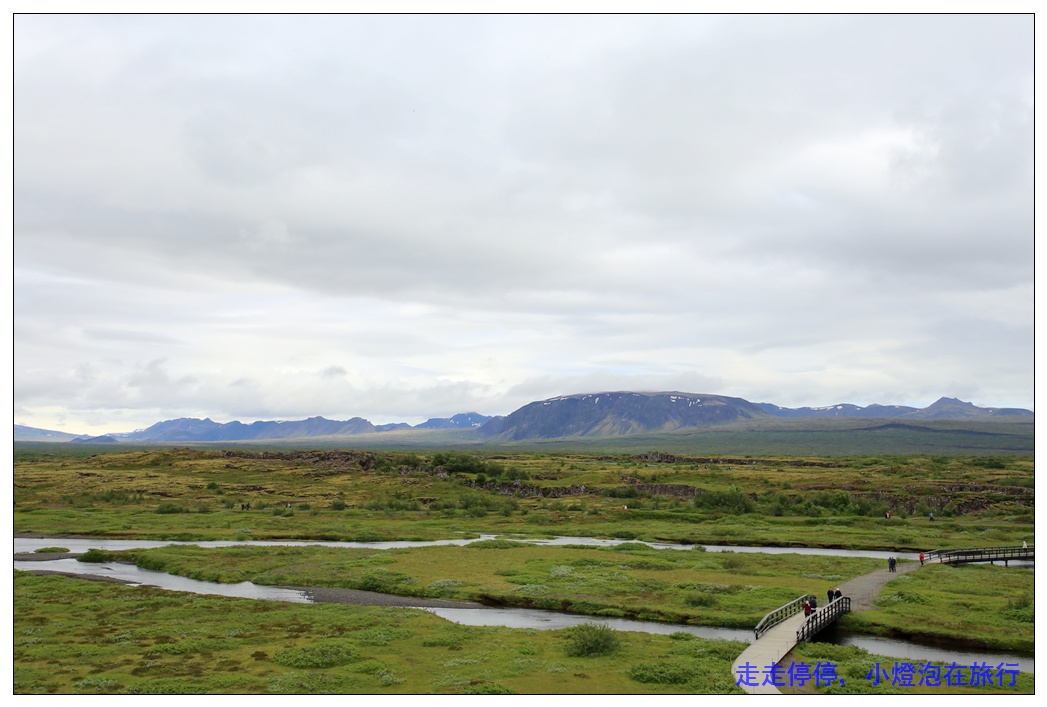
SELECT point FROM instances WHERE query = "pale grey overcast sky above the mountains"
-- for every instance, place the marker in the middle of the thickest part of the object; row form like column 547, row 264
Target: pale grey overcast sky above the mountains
column 397, row 218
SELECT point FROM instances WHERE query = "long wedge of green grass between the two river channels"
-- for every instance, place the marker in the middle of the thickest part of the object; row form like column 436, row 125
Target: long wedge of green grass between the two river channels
column 718, row 589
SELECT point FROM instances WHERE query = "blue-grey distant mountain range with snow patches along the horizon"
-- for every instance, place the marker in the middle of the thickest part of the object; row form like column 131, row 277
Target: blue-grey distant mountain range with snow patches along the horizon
column 584, row 415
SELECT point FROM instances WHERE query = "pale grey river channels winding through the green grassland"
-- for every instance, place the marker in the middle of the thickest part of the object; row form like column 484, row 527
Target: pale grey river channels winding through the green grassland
column 514, row 618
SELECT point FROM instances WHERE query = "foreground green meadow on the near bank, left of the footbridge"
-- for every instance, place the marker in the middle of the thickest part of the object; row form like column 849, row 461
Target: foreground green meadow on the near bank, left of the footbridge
column 75, row 636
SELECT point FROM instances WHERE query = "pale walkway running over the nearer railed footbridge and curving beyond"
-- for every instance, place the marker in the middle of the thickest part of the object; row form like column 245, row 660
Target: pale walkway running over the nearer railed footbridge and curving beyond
column 773, row 646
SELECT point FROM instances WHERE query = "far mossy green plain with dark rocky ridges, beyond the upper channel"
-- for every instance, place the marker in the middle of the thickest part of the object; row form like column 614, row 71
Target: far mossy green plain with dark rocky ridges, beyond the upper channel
column 177, row 494
